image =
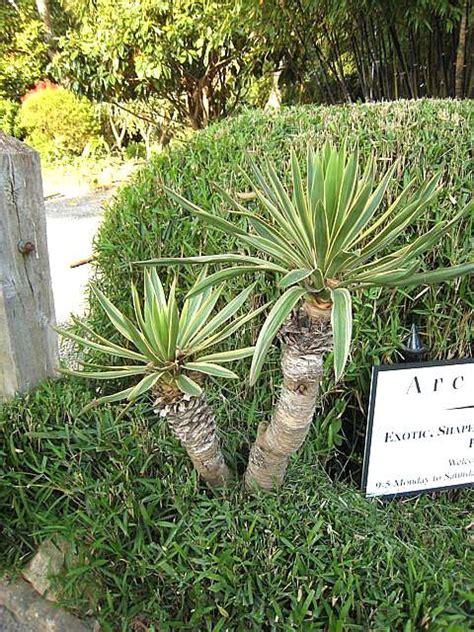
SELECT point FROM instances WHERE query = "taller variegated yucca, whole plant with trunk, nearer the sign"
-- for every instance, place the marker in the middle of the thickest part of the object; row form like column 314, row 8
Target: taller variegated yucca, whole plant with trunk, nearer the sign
column 323, row 239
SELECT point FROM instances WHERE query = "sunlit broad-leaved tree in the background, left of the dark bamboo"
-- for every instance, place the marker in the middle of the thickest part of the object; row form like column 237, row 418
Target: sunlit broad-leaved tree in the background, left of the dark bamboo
column 195, row 54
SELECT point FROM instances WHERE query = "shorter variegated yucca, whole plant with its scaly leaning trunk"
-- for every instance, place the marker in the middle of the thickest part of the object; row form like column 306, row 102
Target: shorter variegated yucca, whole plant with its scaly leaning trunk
column 170, row 352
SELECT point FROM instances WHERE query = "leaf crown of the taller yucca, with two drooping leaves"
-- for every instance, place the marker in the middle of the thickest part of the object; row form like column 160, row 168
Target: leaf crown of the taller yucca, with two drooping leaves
column 325, row 236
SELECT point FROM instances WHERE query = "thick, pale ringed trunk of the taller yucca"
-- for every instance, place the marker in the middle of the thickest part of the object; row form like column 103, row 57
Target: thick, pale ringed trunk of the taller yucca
column 305, row 338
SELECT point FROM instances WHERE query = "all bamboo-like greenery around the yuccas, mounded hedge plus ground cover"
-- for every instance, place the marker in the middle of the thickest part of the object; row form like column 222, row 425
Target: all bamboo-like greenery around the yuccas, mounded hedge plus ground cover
column 151, row 543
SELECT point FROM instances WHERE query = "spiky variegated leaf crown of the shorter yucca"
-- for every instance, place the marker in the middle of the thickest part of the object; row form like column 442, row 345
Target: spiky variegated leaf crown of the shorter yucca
column 168, row 346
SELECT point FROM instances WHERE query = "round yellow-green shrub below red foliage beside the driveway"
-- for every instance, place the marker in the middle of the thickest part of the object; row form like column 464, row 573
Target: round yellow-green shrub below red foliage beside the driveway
column 57, row 122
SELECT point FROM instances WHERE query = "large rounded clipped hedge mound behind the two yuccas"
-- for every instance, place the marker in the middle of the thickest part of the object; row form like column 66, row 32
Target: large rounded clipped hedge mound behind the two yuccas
column 426, row 136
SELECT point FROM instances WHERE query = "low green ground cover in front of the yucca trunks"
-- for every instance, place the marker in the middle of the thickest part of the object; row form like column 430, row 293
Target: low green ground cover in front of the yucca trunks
column 151, row 542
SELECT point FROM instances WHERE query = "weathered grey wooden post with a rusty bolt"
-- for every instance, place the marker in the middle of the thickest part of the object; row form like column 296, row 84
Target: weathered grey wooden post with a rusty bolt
column 28, row 345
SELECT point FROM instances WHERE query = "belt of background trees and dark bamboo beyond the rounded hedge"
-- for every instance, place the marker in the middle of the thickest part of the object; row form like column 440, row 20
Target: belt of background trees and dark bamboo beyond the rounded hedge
column 205, row 57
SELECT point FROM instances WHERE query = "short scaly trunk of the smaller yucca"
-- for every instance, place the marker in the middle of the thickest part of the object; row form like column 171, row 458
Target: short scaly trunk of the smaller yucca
column 192, row 422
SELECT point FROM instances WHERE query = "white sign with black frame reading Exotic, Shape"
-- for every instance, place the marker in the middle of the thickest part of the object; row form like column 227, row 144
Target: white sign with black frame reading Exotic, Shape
column 420, row 434
